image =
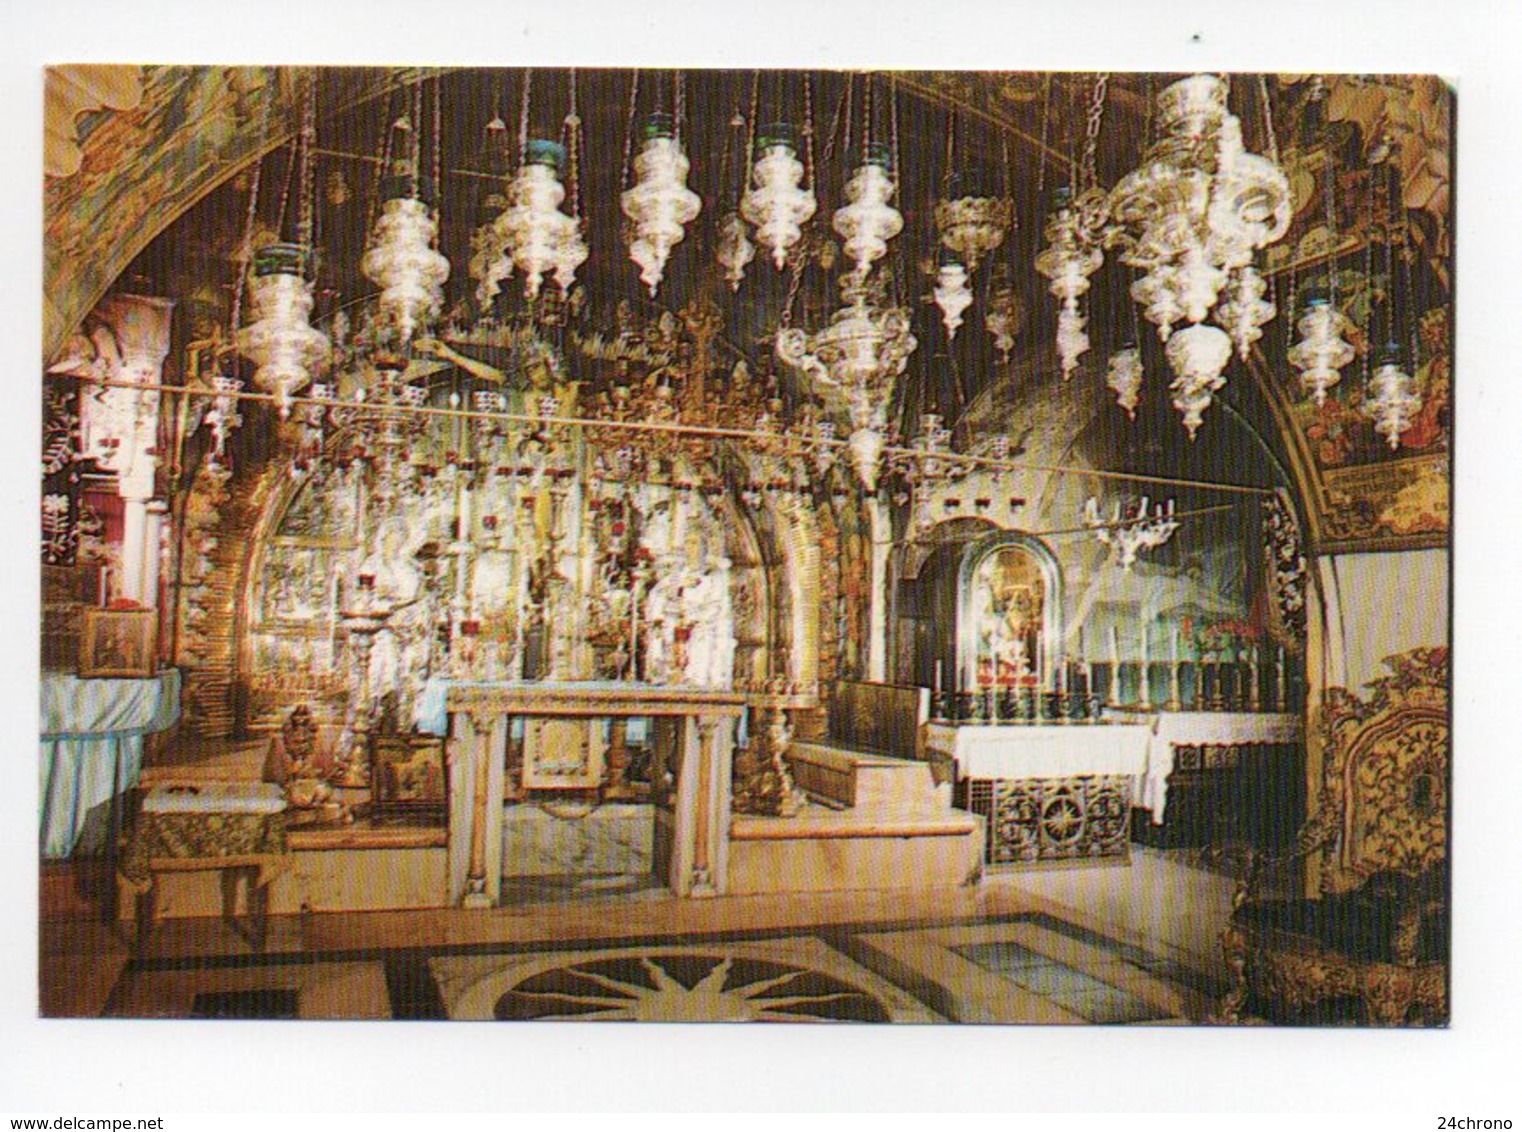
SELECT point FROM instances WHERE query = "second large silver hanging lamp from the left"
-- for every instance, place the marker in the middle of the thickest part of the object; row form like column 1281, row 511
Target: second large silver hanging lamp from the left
column 404, row 262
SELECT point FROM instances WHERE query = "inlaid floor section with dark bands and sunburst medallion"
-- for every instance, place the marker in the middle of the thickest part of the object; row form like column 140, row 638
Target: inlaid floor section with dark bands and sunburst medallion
column 1024, row 968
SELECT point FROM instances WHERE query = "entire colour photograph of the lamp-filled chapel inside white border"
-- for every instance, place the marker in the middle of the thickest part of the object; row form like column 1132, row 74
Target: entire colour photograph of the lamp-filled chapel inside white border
column 745, row 545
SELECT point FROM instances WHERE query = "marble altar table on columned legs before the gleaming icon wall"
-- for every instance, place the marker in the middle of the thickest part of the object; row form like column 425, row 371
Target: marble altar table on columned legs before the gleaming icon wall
column 695, row 739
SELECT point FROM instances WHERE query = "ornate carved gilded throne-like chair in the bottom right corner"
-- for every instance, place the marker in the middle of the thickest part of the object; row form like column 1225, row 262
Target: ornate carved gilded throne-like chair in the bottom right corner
column 1378, row 935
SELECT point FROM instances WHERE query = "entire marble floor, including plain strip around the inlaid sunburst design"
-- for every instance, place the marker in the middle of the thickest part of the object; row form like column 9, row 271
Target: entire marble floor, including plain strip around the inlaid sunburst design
column 1109, row 946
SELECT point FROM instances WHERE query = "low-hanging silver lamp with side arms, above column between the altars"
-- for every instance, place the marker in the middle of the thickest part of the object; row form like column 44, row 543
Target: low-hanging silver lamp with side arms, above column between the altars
column 862, row 354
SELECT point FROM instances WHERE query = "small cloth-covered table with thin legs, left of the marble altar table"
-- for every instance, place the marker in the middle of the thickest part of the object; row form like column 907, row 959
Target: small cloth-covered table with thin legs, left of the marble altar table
column 235, row 828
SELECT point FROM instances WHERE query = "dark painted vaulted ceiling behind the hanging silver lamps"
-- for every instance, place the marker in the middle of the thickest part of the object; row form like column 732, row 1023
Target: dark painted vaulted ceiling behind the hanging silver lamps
column 150, row 159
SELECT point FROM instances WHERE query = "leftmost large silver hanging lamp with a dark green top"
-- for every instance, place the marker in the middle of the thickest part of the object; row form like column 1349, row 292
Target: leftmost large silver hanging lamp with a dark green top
column 281, row 342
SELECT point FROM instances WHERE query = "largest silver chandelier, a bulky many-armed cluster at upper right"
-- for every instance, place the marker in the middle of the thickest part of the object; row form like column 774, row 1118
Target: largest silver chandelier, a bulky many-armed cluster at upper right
column 1192, row 217
